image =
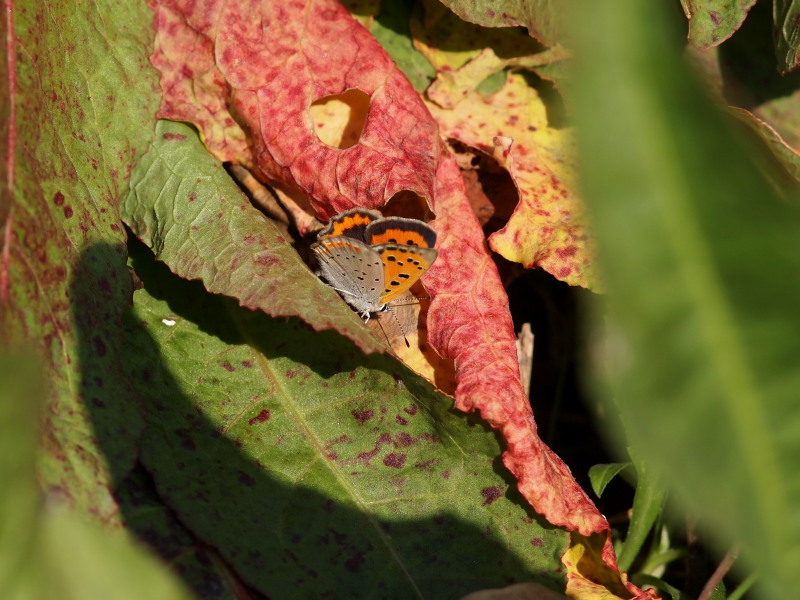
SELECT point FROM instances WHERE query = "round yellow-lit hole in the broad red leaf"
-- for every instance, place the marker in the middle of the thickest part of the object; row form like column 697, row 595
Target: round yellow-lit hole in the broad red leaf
column 339, row 119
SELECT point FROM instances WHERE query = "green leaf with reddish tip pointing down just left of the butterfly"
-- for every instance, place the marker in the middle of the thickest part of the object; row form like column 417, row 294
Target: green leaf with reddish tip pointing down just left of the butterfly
column 185, row 206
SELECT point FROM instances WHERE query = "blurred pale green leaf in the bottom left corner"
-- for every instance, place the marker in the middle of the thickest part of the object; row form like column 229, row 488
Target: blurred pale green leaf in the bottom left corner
column 45, row 551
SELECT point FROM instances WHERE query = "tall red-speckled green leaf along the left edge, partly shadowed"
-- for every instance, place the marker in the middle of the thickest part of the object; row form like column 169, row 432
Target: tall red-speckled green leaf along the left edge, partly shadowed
column 83, row 107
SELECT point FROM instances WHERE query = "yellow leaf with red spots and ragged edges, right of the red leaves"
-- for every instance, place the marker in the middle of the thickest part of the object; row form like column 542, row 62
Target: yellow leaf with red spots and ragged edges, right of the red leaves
column 548, row 228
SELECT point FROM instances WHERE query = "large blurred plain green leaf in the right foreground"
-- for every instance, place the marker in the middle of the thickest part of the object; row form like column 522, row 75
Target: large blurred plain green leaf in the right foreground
column 700, row 259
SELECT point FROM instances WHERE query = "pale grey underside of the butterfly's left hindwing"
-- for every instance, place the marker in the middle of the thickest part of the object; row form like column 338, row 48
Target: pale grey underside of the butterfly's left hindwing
column 353, row 269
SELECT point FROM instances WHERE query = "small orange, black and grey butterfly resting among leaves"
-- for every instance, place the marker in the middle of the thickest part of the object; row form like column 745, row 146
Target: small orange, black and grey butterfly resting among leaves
column 371, row 259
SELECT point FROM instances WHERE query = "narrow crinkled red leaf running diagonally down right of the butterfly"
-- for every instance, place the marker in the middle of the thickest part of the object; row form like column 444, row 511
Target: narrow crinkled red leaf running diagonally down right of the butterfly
column 469, row 321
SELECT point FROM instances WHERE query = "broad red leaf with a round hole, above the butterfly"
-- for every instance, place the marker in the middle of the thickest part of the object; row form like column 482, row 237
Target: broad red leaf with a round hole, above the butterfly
column 248, row 84
